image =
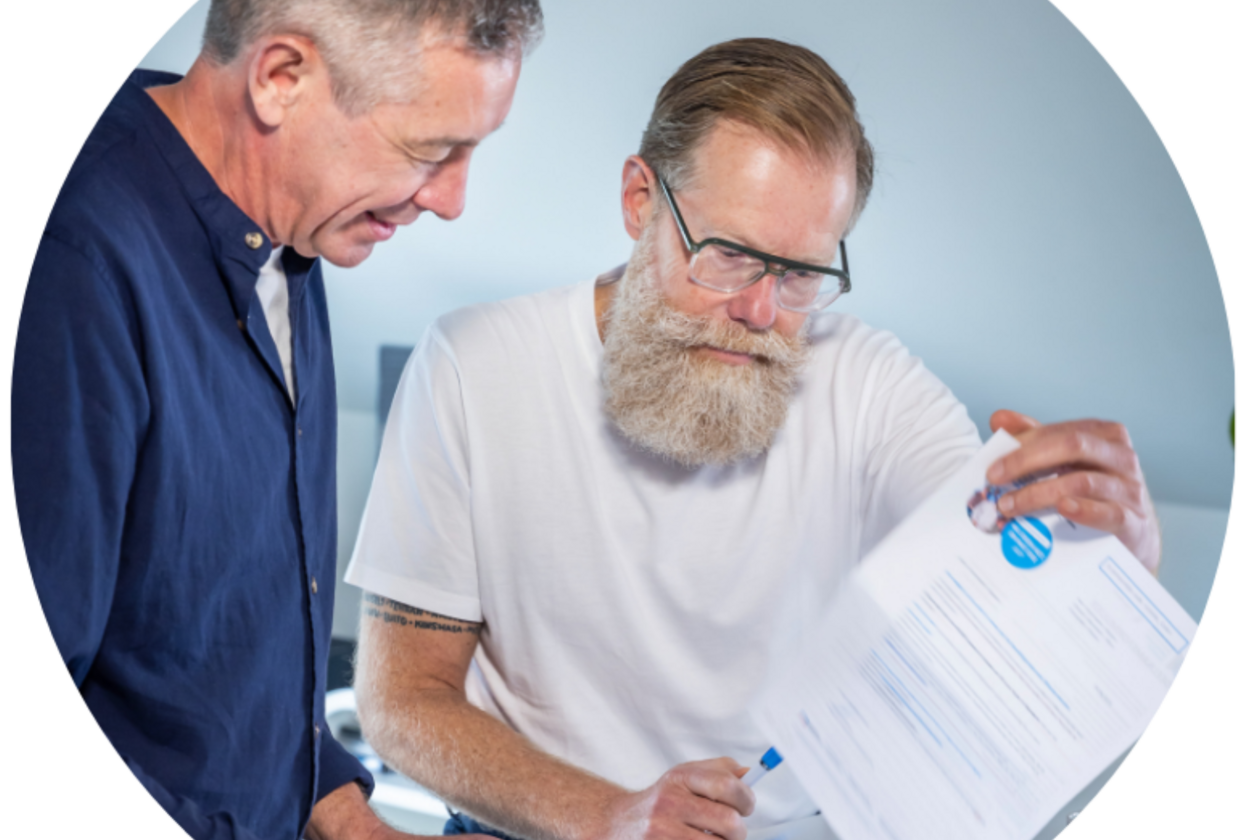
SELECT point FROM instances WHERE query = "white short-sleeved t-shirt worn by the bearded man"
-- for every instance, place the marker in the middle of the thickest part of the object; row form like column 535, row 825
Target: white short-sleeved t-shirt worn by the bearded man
column 634, row 609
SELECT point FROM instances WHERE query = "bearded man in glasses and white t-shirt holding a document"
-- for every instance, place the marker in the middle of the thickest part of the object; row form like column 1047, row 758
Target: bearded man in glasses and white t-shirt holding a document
column 604, row 513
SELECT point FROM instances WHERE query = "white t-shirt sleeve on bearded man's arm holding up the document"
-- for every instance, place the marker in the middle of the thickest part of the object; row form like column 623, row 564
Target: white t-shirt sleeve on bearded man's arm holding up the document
column 916, row 434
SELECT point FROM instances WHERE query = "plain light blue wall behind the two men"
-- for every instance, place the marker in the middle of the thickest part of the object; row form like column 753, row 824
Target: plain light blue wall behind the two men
column 1031, row 236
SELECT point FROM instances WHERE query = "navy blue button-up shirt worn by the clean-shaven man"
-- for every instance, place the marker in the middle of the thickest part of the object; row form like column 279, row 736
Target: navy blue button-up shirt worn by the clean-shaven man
column 176, row 512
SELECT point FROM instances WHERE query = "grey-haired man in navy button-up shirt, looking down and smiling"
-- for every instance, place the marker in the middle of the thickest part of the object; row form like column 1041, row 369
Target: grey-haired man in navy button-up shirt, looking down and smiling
column 173, row 408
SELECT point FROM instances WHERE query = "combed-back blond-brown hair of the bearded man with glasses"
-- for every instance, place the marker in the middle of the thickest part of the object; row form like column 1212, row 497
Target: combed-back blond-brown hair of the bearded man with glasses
column 784, row 92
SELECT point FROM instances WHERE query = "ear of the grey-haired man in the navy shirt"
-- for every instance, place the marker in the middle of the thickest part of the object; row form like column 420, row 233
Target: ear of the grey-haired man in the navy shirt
column 283, row 70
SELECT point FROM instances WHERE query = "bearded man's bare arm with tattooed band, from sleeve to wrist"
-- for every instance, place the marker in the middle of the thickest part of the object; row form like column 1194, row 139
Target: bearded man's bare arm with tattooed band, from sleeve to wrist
column 409, row 681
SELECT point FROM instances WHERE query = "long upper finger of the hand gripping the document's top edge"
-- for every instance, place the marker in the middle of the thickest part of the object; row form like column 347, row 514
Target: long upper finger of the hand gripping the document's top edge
column 1095, row 446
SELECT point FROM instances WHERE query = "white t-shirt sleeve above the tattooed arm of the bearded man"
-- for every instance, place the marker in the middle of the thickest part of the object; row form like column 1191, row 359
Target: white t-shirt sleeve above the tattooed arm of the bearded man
column 416, row 542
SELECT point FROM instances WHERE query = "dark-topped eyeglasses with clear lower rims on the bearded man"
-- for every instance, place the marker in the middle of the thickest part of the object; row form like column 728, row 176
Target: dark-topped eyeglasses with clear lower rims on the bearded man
column 727, row 267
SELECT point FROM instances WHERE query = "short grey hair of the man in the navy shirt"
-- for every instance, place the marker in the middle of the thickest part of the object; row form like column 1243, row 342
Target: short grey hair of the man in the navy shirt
column 372, row 47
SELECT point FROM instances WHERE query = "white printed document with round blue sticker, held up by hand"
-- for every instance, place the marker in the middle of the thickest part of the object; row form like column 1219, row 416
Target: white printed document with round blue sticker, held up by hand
column 975, row 674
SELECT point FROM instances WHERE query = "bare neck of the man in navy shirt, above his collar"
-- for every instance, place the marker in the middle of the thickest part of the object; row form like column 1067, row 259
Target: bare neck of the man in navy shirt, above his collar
column 209, row 108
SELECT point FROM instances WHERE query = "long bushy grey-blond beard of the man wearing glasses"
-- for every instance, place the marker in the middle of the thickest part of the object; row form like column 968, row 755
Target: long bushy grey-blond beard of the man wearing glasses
column 687, row 407
